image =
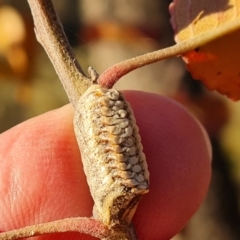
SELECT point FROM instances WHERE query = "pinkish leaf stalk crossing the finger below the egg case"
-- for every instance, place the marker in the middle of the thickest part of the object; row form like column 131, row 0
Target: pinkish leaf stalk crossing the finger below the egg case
column 81, row 225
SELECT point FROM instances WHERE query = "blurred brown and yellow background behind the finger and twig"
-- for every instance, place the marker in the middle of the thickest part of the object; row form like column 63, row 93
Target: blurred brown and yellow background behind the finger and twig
column 105, row 34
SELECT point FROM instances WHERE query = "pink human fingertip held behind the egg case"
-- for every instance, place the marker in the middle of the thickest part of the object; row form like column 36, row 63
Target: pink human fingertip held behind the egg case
column 41, row 175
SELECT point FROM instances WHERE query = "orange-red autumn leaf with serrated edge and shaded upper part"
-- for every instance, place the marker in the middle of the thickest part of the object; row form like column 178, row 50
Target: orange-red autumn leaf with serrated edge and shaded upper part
column 216, row 63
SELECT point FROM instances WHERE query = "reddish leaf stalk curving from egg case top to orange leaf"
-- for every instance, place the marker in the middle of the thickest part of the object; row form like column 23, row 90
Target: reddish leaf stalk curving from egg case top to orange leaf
column 110, row 76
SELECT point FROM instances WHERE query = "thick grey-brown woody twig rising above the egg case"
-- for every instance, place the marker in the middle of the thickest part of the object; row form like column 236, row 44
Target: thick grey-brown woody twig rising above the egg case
column 50, row 34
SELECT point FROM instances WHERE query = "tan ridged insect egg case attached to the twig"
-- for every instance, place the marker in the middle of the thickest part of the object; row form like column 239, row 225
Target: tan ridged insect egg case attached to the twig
column 112, row 155
